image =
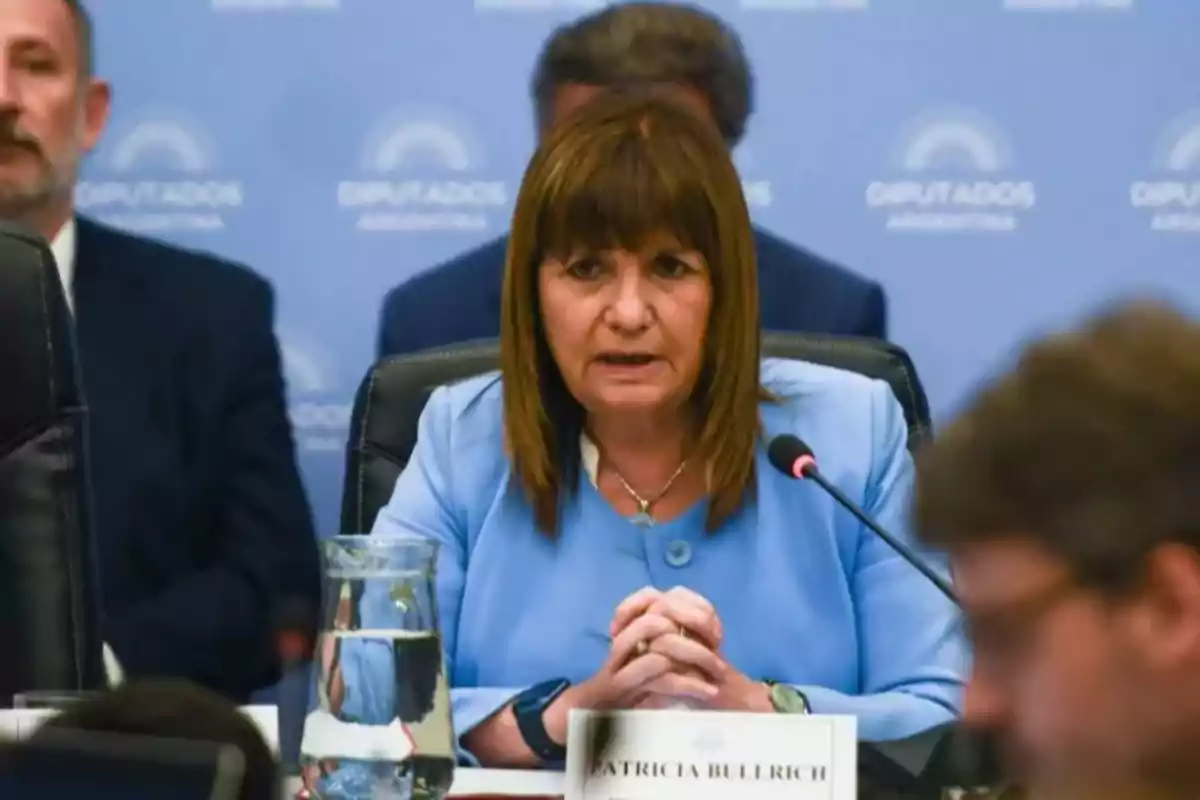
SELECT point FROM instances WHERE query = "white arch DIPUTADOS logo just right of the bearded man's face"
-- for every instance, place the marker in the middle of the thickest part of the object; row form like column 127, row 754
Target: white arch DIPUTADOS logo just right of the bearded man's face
column 157, row 173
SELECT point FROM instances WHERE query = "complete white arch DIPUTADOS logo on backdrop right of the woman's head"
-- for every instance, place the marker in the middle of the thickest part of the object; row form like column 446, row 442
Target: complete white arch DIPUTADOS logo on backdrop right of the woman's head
column 952, row 171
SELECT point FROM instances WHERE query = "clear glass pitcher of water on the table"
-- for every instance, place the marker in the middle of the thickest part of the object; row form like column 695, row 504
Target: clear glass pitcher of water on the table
column 382, row 726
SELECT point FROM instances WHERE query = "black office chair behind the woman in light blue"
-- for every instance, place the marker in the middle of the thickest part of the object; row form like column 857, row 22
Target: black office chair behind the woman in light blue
column 391, row 400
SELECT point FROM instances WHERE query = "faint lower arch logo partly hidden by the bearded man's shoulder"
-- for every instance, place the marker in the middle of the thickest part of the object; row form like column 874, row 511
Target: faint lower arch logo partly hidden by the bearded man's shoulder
column 317, row 404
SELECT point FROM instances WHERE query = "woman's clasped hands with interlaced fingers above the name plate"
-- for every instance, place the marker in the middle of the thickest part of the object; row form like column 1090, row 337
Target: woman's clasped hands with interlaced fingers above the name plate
column 667, row 649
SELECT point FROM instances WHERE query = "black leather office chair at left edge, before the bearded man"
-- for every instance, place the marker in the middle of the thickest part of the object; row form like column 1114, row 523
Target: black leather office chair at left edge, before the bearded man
column 50, row 637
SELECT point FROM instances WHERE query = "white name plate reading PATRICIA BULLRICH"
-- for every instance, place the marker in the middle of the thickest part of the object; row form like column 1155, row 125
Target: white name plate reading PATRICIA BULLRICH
column 700, row 755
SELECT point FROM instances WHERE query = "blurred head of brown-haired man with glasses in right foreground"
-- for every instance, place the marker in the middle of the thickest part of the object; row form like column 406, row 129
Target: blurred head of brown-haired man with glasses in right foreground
column 1069, row 496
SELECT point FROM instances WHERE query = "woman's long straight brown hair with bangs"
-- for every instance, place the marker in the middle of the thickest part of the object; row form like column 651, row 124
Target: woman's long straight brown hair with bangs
column 626, row 170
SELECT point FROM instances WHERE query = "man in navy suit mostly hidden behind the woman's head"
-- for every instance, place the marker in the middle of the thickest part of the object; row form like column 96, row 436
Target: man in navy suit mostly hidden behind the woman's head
column 638, row 44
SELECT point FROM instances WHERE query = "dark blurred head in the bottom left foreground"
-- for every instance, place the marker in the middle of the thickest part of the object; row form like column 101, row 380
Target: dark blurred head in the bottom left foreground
column 177, row 709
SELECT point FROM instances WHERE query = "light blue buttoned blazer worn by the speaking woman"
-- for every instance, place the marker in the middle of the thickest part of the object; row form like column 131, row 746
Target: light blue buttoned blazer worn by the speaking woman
column 807, row 596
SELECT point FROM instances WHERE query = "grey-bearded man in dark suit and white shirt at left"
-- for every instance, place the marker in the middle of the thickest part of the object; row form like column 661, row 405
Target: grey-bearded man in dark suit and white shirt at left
column 203, row 528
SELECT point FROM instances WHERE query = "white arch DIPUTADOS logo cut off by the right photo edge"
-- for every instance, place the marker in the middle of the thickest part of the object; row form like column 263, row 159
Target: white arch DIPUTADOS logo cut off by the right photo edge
column 1171, row 195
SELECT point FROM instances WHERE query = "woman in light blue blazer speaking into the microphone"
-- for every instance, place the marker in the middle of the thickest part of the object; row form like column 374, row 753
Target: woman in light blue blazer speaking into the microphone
column 611, row 532
